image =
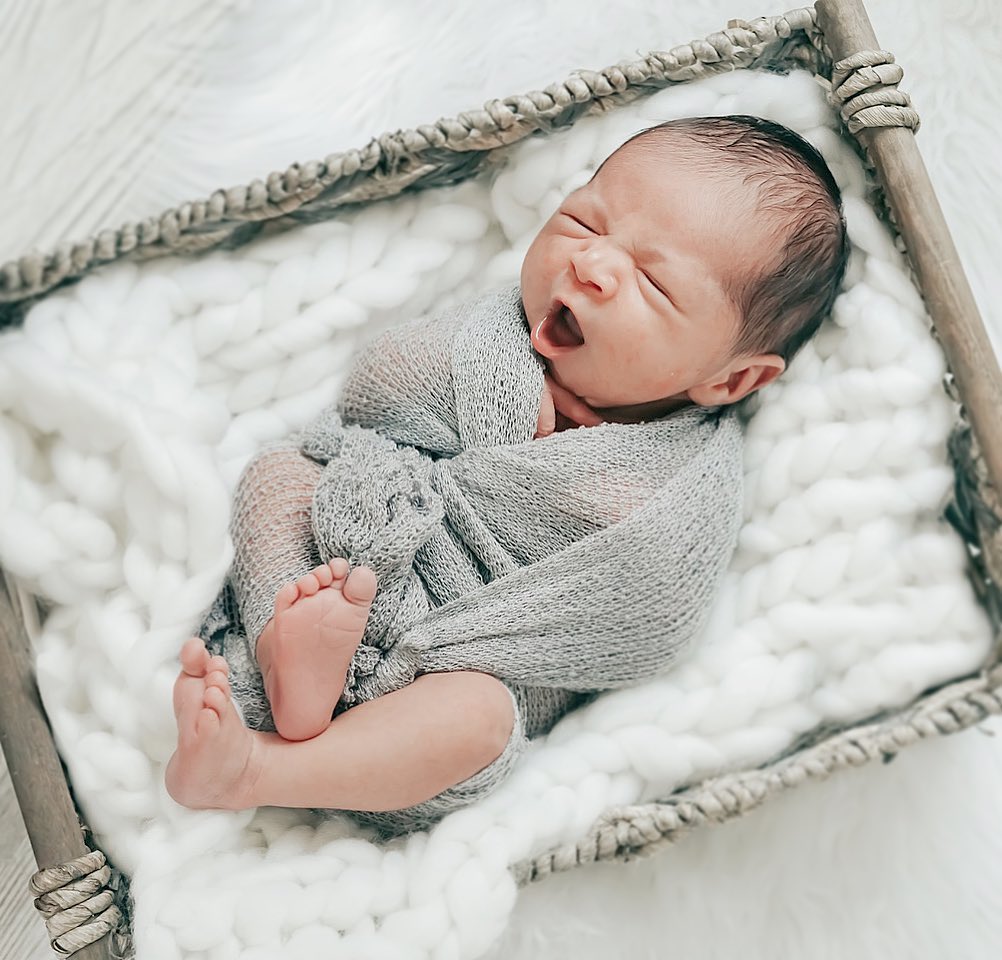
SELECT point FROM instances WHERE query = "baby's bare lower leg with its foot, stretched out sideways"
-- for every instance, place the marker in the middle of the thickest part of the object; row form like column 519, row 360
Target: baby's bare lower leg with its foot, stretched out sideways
column 387, row 754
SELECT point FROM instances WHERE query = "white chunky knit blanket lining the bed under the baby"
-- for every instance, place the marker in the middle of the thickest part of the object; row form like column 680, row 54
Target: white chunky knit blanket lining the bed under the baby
column 130, row 403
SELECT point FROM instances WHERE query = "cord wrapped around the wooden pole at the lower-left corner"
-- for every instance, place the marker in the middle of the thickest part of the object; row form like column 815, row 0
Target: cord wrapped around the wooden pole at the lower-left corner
column 75, row 899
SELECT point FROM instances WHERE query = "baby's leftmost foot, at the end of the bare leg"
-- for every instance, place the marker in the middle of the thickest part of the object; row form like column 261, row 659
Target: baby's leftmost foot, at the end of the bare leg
column 212, row 766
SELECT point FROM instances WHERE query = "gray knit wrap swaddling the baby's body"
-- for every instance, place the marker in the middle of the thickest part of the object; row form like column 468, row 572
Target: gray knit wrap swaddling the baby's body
column 582, row 562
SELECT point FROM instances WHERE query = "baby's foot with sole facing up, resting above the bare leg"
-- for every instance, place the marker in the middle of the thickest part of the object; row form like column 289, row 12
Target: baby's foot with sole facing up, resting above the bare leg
column 307, row 647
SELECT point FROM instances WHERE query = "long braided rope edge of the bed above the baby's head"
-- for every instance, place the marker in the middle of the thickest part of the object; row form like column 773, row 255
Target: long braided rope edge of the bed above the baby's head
column 451, row 150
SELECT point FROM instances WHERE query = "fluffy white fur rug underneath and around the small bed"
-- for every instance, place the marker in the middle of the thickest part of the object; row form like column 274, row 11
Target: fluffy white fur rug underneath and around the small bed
column 899, row 861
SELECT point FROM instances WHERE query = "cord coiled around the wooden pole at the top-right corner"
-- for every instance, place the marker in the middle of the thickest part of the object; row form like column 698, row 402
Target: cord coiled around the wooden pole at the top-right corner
column 865, row 90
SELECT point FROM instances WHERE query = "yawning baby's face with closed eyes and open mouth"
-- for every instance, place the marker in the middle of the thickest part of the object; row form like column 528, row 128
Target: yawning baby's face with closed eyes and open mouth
column 624, row 287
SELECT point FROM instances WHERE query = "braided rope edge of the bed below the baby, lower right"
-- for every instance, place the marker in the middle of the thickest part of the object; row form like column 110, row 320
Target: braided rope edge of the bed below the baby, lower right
column 641, row 830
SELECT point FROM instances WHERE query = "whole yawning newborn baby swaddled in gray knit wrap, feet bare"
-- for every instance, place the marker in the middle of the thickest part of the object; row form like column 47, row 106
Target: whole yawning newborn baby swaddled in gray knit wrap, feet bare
column 517, row 504
